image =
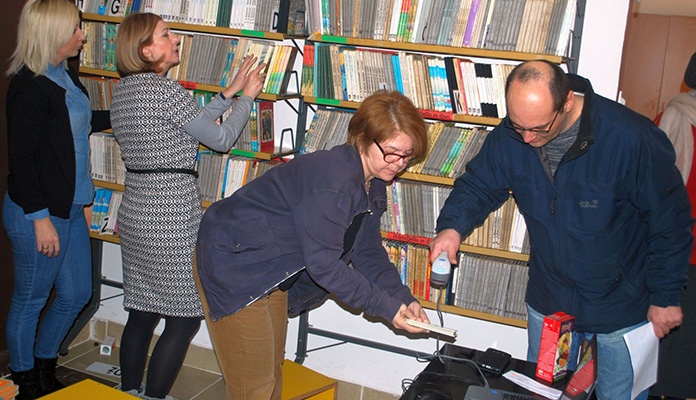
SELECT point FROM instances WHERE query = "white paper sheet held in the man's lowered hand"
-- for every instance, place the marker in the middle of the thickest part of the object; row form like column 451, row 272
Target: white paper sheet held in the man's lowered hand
column 643, row 346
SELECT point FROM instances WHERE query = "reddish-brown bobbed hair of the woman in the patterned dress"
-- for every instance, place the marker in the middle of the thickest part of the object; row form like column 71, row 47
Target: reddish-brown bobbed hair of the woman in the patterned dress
column 135, row 33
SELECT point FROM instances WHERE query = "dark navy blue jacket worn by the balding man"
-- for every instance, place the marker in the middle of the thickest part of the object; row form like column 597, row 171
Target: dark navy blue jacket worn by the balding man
column 610, row 233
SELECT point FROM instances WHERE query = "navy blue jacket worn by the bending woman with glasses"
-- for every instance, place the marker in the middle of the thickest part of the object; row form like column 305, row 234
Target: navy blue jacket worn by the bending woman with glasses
column 295, row 216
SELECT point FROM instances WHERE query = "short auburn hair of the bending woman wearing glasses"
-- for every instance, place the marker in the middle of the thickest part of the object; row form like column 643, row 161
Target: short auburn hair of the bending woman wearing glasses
column 381, row 116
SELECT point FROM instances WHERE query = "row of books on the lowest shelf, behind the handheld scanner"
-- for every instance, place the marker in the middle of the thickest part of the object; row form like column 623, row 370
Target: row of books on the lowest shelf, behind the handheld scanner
column 486, row 284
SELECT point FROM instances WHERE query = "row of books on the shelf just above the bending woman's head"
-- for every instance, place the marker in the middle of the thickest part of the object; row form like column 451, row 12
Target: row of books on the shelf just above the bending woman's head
column 444, row 84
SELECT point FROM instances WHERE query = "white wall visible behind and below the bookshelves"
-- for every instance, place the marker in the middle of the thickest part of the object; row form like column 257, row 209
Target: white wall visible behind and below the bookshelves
column 600, row 60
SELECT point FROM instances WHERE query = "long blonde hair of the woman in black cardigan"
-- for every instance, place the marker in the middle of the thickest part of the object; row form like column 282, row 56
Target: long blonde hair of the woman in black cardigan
column 44, row 27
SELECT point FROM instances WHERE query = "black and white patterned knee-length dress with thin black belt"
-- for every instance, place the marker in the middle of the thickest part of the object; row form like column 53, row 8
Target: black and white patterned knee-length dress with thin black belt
column 160, row 212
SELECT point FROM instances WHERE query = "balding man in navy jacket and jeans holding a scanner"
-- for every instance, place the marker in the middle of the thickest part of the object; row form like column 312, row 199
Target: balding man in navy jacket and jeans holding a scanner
column 607, row 213
